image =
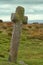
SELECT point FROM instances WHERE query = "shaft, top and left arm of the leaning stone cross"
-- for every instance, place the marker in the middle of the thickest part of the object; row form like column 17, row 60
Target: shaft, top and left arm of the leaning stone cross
column 16, row 17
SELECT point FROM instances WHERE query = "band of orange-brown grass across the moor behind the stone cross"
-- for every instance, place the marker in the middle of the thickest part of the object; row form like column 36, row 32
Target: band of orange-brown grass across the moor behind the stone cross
column 33, row 30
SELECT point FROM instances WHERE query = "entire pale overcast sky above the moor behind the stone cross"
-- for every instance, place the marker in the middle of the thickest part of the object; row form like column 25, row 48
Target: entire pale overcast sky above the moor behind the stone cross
column 33, row 8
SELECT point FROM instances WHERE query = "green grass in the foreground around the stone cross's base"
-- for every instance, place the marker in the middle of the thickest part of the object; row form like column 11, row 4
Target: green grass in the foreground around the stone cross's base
column 30, row 50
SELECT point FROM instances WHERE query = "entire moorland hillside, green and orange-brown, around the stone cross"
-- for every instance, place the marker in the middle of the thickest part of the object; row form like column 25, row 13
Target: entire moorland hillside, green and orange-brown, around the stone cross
column 31, row 44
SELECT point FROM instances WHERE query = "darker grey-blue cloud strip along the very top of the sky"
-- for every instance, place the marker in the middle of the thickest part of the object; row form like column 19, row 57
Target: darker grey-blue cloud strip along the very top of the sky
column 21, row 2
